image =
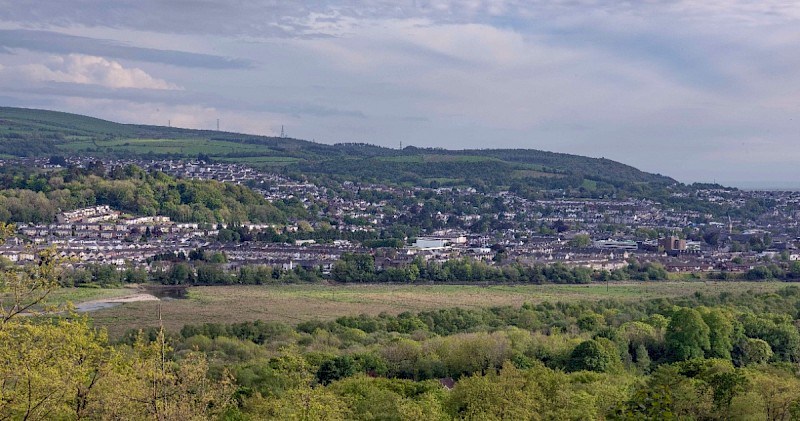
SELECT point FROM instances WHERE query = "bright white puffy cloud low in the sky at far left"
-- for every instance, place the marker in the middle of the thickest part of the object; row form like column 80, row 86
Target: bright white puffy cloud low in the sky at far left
column 88, row 70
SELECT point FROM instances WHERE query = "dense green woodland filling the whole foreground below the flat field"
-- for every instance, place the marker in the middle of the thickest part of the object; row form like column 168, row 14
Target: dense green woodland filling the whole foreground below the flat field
column 731, row 356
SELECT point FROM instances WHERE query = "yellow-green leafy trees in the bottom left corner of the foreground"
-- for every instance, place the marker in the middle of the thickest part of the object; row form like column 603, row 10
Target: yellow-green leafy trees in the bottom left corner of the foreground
column 56, row 366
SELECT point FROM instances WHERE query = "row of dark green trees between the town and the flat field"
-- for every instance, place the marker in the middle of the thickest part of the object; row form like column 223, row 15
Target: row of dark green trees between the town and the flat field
column 205, row 268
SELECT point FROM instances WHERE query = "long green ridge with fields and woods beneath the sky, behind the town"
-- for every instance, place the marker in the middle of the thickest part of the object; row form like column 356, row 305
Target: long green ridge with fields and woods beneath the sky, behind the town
column 28, row 132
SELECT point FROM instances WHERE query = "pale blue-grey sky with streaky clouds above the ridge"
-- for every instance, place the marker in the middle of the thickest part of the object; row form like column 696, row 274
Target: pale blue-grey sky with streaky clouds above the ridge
column 698, row 90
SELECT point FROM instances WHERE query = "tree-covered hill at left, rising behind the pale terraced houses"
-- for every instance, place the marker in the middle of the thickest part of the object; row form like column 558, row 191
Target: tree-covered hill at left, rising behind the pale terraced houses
column 36, row 196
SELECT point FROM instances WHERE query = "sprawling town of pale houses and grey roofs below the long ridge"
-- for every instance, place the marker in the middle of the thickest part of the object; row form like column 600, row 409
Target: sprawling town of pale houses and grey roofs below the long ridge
column 441, row 223
